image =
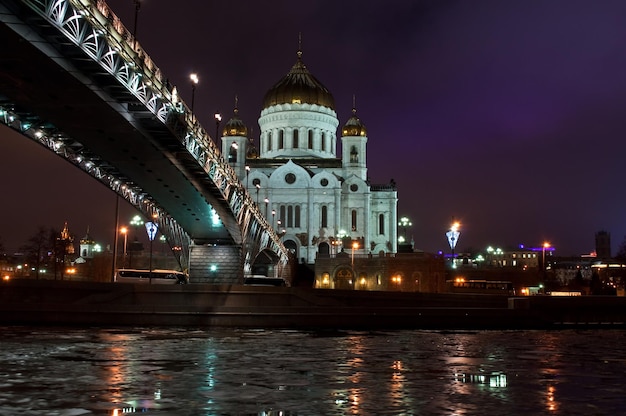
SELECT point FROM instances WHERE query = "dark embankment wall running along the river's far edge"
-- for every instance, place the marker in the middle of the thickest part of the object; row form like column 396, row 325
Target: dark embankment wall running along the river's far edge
column 46, row 302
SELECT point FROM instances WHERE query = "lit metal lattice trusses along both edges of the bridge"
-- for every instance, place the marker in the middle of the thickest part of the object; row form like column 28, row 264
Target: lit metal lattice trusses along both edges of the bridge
column 150, row 104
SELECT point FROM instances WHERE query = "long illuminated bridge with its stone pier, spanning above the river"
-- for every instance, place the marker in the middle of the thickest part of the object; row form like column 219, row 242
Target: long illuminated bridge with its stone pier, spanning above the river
column 75, row 80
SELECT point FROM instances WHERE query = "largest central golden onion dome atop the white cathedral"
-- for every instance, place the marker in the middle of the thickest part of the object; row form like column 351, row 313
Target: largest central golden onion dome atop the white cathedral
column 299, row 87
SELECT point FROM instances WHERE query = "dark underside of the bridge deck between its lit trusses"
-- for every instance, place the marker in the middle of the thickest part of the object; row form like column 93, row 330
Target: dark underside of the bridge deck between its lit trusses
column 109, row 126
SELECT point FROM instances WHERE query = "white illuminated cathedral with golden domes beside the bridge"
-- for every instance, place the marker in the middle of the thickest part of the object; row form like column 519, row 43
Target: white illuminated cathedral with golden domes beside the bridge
column 322, row 204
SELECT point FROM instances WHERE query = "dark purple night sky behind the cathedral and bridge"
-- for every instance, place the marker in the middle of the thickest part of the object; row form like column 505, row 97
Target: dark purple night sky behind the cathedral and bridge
column 509, row 116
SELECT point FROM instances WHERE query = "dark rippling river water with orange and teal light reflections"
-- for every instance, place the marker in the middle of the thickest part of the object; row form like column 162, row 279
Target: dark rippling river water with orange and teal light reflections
column 176, row 371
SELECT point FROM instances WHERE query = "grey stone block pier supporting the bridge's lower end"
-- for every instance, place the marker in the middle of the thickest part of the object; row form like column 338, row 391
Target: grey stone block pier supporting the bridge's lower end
column 215, row 264
